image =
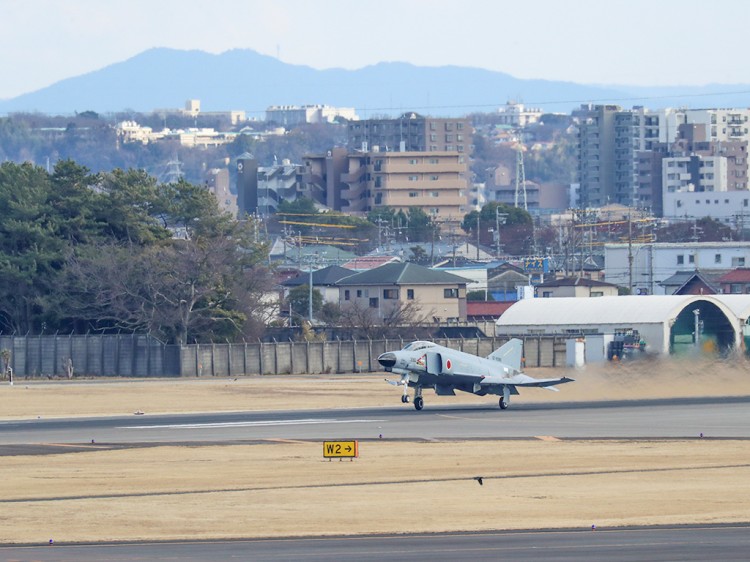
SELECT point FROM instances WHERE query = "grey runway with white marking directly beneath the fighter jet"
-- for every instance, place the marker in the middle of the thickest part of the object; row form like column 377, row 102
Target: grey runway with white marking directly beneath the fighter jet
column 664, row 418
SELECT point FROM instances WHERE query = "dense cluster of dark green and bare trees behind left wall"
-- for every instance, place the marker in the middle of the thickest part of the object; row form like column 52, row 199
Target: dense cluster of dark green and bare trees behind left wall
column 118, row 251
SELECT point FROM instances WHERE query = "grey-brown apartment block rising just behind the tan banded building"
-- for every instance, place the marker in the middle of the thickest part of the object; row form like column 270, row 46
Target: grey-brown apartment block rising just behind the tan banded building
column 411, row 132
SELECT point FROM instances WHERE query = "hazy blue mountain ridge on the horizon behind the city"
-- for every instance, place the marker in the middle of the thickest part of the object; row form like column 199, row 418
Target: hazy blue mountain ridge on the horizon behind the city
column 244, row 79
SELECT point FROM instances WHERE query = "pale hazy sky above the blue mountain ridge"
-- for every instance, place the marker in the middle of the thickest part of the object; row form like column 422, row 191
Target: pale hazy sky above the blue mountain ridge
column 634, row 42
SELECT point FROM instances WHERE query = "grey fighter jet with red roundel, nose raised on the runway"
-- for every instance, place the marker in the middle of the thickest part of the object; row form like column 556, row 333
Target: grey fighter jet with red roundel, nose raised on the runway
column 424, row 364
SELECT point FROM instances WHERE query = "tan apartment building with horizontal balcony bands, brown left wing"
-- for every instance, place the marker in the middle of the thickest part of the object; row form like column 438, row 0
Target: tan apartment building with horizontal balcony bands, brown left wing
column 435, row 181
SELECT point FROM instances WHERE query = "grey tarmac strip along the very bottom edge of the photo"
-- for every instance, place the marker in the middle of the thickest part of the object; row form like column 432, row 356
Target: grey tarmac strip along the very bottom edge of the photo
column 685, row 543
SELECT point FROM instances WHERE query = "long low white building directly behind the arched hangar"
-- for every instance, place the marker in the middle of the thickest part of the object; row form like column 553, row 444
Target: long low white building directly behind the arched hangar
column 653, row 263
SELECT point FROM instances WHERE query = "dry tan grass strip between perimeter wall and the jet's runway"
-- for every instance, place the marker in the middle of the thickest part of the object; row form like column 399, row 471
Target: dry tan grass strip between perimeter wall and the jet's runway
column 627, row 381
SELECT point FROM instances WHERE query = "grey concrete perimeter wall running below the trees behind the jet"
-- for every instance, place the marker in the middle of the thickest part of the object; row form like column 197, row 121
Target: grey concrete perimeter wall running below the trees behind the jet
column 143, row 356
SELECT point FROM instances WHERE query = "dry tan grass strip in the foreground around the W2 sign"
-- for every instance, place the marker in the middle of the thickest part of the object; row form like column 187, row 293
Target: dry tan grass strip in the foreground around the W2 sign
column 288, row 489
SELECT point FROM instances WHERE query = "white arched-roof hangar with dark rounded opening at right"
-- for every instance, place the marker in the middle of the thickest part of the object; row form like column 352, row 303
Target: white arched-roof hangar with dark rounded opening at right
column 665, row 322
